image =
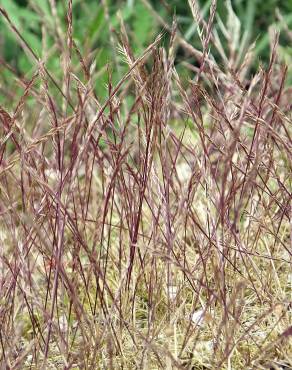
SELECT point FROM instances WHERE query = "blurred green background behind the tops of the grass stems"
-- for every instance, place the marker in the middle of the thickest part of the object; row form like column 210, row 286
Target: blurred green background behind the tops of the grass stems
column 97, row 24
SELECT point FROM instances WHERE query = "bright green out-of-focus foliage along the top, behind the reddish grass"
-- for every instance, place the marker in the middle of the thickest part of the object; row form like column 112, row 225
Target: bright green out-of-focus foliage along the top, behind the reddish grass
column 91, row 24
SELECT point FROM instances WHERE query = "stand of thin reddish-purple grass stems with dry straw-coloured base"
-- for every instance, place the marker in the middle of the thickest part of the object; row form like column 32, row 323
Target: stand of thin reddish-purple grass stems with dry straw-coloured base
column 151, row 229
